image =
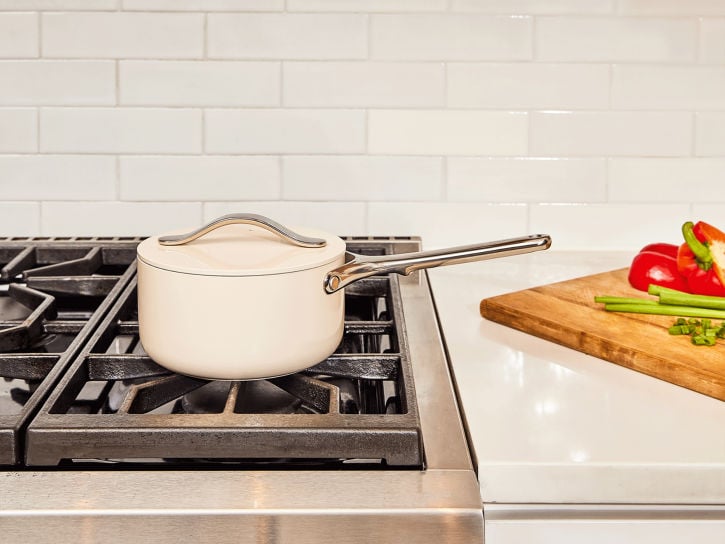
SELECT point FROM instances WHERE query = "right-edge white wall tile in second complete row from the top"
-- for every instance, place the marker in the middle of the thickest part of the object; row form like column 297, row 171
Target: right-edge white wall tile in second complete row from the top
column 668, row 87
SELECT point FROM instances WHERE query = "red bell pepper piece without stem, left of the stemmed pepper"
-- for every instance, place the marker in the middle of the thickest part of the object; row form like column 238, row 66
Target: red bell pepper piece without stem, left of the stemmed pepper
column 656, row 264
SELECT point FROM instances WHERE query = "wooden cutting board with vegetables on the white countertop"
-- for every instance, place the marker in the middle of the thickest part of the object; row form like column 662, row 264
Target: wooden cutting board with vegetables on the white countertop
column 566, row 313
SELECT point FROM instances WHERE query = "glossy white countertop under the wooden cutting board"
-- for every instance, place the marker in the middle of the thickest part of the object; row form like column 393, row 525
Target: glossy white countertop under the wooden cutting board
column 552, row 425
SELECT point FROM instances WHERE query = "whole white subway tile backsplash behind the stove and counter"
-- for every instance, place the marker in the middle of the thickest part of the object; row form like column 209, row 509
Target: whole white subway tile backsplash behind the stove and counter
column 601, row 122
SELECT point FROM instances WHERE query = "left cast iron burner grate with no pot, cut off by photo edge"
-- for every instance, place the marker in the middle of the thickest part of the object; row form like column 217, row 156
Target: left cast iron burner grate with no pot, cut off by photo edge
column 53, row 292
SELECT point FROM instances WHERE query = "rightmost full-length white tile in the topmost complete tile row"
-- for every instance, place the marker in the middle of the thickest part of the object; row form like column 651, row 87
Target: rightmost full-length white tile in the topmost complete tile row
column 616, row 39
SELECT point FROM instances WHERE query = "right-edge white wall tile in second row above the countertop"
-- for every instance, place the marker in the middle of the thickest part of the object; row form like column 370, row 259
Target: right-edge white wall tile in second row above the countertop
column 666, row 180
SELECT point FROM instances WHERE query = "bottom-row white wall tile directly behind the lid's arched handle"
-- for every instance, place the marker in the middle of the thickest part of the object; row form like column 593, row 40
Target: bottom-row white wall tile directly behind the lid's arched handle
column 339, row 218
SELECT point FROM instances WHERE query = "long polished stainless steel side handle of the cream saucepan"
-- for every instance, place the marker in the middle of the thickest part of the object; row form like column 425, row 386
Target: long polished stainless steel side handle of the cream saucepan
column 362, row 266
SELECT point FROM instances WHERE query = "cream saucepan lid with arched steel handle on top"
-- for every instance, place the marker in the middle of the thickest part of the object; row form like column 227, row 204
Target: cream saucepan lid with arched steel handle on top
column 241, row 245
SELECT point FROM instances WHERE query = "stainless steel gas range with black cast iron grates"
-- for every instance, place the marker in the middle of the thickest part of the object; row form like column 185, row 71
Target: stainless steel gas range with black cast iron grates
column 100, row 444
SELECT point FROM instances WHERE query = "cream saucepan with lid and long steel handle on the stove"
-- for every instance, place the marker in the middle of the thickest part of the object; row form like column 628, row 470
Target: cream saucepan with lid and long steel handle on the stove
column 244, row 297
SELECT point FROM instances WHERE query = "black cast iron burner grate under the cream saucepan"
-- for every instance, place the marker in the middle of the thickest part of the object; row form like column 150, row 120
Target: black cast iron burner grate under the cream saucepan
column 114, row 404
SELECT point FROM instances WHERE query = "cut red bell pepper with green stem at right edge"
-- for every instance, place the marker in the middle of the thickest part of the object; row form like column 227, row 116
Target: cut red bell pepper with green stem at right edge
column 701, row 259
